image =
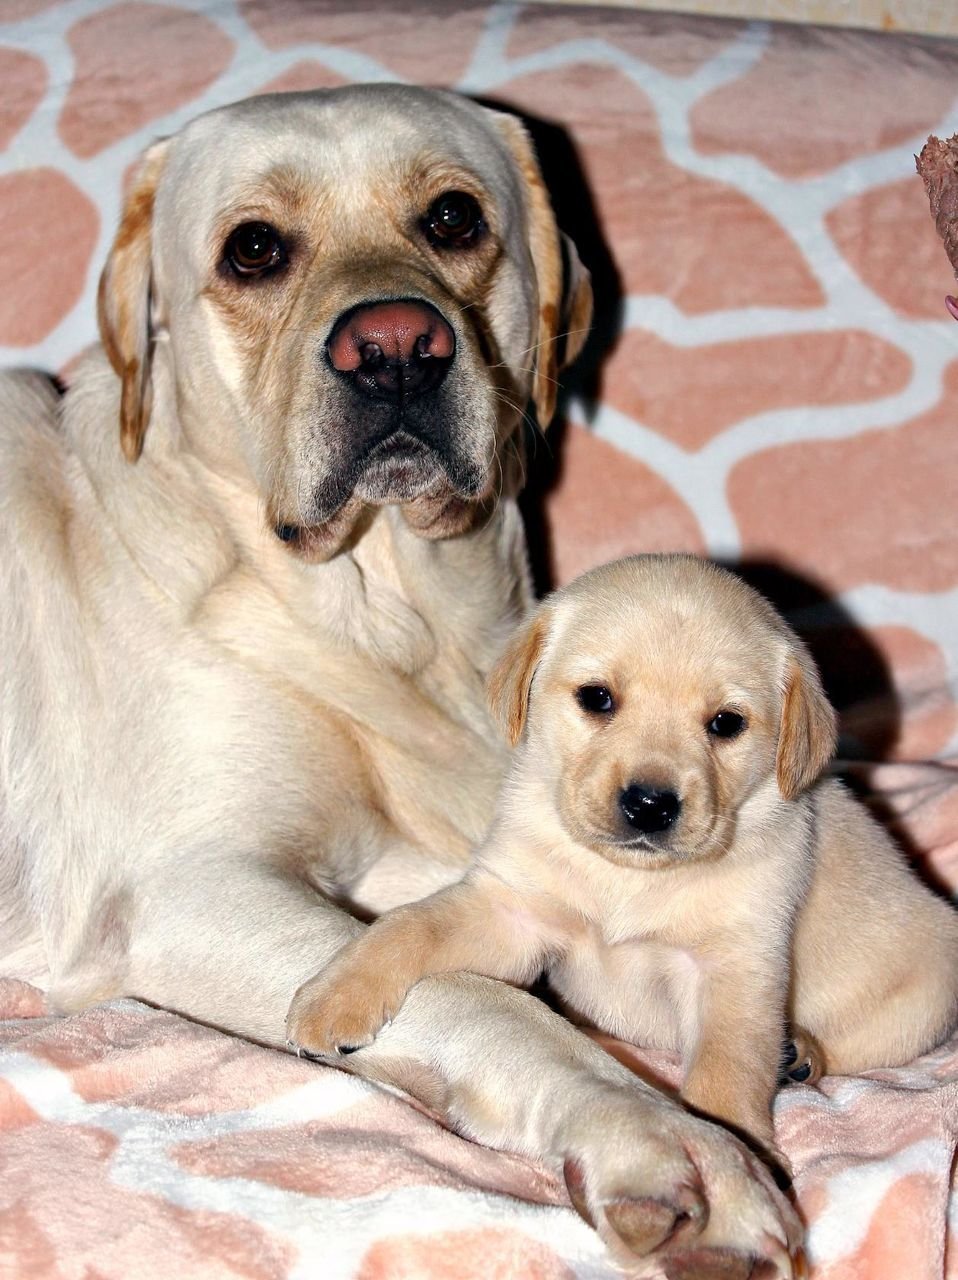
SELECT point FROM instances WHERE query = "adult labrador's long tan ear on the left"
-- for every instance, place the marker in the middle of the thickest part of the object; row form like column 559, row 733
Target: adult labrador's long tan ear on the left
column 125, row 299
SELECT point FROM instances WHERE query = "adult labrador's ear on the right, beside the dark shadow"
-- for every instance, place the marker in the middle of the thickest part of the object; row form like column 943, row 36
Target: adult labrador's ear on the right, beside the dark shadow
column 565, row 289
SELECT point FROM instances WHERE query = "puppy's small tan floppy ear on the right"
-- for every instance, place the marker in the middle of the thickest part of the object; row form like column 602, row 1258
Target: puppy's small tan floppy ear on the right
column 809, row 730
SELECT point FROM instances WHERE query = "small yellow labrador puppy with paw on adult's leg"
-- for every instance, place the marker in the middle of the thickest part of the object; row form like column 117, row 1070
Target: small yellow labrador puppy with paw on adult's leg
column 667, row 849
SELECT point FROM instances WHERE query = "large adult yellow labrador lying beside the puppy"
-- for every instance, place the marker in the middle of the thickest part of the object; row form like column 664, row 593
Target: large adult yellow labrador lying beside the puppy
column 256, row 572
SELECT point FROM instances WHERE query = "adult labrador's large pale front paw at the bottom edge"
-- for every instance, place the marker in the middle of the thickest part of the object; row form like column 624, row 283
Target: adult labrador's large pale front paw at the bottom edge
column 660, row 1183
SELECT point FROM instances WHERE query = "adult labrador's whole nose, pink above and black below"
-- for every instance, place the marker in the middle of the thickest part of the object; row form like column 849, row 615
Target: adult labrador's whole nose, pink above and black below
column 393, row 351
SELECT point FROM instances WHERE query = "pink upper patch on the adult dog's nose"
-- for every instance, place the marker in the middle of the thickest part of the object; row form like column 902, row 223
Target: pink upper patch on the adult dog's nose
column 398, row 332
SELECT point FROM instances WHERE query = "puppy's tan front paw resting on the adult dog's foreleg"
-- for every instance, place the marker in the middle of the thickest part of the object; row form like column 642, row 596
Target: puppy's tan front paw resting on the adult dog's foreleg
column 341, row 1011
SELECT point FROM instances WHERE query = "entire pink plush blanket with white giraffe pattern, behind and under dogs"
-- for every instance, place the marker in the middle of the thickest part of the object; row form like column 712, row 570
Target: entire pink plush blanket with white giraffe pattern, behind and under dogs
column 774, row 381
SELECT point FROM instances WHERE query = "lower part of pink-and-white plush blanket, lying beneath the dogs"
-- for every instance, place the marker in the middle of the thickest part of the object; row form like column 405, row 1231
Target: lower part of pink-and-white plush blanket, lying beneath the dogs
column 133, row 1140
